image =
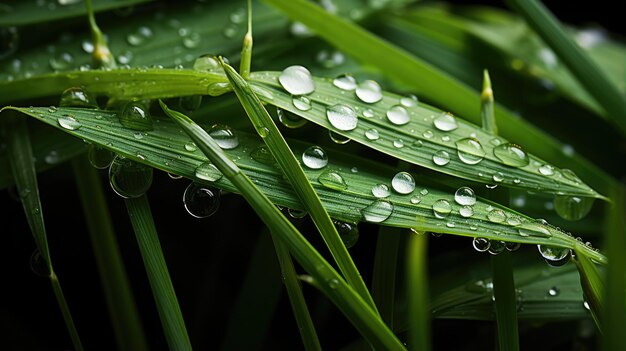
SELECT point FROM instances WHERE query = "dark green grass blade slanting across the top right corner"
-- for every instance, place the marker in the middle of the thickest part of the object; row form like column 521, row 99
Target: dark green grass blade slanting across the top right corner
column 592, row 78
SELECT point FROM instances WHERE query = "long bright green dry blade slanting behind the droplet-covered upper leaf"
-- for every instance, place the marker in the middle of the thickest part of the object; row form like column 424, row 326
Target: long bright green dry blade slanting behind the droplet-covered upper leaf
column 432, row 83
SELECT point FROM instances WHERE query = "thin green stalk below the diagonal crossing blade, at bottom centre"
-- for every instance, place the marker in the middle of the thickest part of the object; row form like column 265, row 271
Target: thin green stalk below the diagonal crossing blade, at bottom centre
column 296, row 298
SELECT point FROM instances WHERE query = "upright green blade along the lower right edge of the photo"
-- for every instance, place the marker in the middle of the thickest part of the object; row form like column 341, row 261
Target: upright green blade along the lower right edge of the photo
column 614, row 314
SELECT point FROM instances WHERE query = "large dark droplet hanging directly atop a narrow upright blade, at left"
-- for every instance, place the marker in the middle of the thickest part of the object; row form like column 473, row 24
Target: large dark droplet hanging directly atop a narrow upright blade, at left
column 129, row 179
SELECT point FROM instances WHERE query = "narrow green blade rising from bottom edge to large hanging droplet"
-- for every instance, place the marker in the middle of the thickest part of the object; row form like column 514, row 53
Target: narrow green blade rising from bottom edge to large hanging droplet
column 158, row 274
